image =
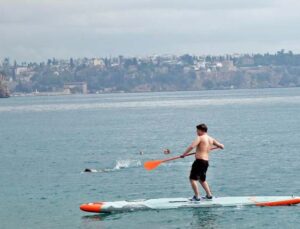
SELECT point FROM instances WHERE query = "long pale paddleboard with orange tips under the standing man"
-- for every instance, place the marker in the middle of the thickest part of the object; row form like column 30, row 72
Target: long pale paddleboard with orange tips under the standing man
column 173, row 203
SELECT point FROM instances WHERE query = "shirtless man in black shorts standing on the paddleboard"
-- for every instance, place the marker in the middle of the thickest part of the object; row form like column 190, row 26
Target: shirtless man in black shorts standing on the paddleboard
column 203, row 144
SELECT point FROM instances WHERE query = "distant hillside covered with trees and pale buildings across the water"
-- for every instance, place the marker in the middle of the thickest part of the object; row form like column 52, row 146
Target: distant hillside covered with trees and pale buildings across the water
column 157, row 73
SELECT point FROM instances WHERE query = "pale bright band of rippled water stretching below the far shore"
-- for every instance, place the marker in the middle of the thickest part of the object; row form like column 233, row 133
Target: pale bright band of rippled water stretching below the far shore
column 150, row 104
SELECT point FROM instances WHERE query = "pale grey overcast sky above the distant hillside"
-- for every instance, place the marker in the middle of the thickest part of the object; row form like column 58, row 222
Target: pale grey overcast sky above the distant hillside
column 39, row 29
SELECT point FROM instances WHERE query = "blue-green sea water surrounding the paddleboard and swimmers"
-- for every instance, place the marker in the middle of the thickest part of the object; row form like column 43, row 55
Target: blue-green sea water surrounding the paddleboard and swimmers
column 47, row 142
